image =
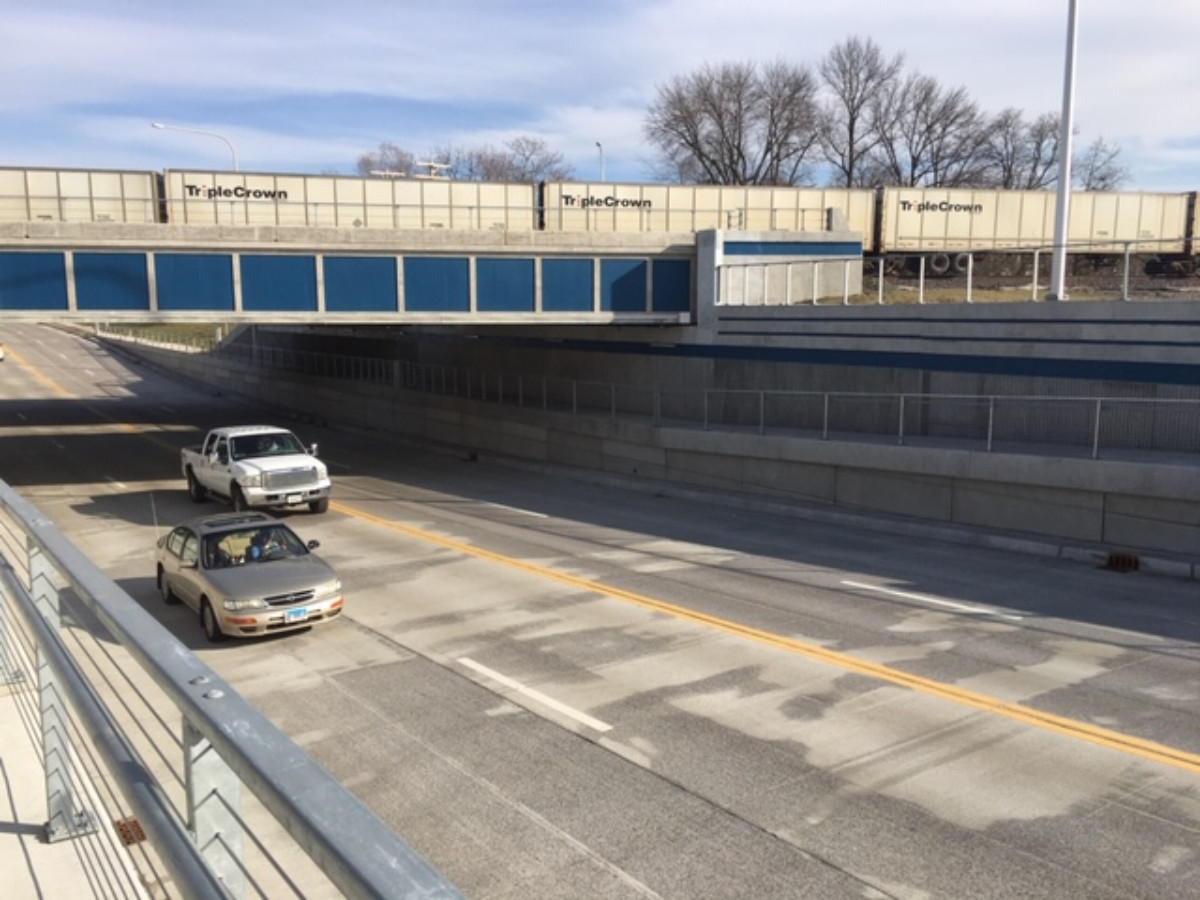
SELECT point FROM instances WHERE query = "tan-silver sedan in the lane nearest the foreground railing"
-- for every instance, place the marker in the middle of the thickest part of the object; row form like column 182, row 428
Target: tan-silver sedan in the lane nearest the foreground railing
column 247, row 574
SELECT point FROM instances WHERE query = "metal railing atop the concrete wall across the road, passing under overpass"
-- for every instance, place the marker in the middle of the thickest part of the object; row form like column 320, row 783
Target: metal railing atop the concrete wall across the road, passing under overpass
column 1059, row 425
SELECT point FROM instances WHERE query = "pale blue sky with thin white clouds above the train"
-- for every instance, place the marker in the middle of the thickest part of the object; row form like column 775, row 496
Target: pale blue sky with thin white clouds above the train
column 310, row 86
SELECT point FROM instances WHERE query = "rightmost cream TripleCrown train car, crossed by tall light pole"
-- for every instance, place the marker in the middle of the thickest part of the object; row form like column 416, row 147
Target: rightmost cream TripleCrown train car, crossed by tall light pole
column 946, row 225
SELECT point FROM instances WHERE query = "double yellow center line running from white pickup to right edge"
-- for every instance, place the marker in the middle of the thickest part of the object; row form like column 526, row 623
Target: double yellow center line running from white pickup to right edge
column 1048, row 722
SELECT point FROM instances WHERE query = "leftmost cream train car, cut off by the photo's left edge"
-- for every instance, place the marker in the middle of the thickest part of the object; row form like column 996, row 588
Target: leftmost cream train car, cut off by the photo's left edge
column 43, row 195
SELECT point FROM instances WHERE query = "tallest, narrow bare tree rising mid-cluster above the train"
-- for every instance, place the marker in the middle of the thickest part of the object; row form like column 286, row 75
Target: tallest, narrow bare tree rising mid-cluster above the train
column 856, row 73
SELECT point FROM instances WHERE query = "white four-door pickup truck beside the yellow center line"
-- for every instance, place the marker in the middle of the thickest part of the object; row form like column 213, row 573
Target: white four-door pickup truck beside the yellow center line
column 257, row 466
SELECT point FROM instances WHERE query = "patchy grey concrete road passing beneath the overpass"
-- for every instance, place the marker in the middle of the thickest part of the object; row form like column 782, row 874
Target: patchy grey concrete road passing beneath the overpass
column 566, row 688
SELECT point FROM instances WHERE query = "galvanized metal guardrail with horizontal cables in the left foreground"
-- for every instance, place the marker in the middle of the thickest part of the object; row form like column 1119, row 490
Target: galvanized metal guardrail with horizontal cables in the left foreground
column 69, row 640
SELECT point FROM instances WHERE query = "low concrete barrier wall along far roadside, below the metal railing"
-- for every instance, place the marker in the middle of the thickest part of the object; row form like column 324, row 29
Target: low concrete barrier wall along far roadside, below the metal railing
column 1127, row 507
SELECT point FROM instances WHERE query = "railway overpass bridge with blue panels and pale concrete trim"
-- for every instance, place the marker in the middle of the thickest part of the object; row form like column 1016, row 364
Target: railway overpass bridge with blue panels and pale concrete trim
column 115, row 272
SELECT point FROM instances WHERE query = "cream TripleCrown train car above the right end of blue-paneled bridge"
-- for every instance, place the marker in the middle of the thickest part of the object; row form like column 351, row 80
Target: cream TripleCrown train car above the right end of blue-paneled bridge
column 625, row 208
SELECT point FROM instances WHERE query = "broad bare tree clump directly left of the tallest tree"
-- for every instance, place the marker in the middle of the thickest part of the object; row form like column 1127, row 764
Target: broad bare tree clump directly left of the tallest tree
column 737, row 125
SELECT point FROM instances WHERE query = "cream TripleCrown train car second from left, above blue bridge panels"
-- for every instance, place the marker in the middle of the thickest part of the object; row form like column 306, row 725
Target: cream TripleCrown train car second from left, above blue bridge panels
column 244, row 199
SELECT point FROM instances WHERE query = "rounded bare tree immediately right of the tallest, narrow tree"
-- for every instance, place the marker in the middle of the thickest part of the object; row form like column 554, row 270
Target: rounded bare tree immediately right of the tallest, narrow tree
column 929, row 136
